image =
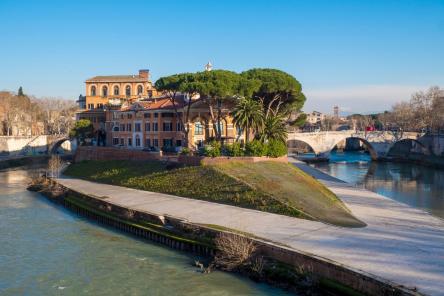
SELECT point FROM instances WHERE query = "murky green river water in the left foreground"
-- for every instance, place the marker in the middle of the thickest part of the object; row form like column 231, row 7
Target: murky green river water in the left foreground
column 48, row 250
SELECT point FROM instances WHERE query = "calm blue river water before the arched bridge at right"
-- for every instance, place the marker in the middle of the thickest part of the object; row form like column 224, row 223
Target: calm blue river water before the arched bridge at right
column 416, row 185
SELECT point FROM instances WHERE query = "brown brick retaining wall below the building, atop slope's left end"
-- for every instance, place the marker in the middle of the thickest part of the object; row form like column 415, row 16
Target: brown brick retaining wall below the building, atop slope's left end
column 111, row 153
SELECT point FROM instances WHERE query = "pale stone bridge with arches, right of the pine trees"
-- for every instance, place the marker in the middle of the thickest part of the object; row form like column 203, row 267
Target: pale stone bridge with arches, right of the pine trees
column 378, row 143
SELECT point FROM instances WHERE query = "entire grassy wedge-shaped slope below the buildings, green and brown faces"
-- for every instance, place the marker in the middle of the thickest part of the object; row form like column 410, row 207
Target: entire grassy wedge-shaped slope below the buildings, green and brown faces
column 269, row 187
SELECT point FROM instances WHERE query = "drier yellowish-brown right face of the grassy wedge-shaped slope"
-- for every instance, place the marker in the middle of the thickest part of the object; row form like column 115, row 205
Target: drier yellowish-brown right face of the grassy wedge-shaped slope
column 292, row 187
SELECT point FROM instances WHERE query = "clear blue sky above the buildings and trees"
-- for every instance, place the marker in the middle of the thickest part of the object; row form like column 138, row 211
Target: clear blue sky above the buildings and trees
column 363, row 56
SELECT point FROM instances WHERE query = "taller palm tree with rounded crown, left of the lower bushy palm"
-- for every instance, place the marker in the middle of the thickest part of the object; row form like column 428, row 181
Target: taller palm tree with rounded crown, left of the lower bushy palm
column 248, row 114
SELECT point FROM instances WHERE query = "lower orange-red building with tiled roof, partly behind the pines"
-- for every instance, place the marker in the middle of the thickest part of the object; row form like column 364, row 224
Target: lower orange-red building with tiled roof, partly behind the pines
column 154, row 124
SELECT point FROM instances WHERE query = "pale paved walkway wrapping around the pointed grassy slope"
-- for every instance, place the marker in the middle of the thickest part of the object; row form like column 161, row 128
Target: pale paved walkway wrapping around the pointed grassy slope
column 400, row 243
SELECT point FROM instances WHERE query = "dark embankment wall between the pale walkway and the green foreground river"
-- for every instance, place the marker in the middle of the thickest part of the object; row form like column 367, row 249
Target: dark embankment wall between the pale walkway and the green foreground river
column 183, row 235
